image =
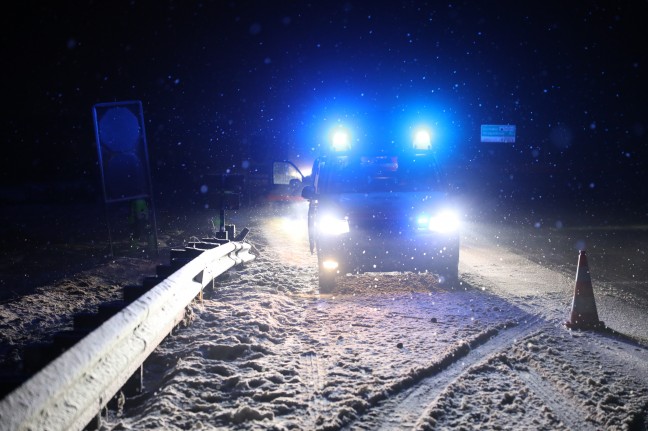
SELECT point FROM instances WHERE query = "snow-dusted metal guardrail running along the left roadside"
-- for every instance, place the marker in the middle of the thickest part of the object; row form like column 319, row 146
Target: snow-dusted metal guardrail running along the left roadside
column 73, row 389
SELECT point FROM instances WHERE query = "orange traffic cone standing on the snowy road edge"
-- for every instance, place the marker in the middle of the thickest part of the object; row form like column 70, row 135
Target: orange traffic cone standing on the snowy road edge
column 584, row 314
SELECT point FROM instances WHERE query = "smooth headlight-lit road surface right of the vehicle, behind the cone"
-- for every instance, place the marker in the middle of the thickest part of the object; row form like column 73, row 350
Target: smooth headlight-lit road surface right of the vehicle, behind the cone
column 535, row 269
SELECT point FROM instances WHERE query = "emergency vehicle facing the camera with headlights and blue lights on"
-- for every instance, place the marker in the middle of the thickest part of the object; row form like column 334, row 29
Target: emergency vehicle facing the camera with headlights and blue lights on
column 379, row 211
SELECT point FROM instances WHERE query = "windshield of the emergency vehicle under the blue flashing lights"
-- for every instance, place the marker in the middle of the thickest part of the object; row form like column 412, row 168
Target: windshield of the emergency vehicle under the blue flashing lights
column 376, row 174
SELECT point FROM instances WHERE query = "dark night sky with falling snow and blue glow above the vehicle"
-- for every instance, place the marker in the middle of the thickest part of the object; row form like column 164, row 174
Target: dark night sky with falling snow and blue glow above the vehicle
column 222, row 80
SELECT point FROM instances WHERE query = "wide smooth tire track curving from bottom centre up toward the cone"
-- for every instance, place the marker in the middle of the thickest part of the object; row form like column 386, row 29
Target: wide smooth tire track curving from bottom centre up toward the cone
column 402, row 407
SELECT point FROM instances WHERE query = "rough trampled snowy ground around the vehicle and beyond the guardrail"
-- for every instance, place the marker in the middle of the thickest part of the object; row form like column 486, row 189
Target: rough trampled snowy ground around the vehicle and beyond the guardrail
column 385, row 351
